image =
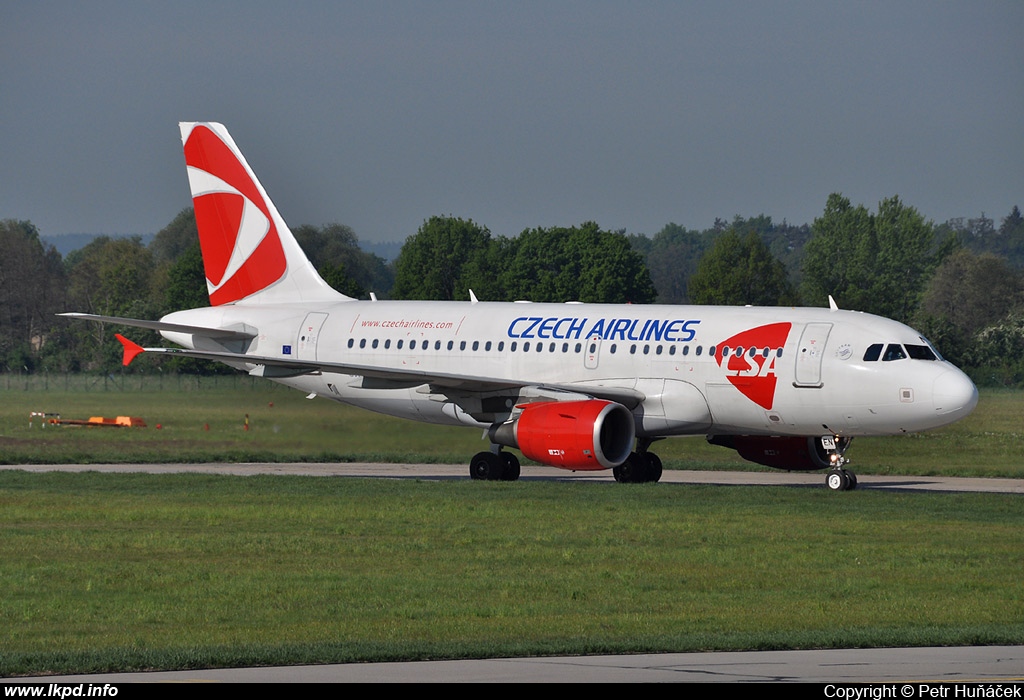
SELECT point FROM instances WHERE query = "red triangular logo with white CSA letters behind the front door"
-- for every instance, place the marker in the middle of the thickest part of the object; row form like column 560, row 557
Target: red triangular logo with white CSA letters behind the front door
column 754, row 374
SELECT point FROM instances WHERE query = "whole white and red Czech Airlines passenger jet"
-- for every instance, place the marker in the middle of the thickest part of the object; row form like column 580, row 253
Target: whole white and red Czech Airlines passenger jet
column 575, row 386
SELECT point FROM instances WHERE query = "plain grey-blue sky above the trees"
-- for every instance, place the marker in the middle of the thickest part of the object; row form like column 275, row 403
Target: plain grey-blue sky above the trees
column 379, row 115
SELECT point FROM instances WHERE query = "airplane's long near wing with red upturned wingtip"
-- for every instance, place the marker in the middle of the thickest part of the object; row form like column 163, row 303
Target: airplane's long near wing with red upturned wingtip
column 385, row 377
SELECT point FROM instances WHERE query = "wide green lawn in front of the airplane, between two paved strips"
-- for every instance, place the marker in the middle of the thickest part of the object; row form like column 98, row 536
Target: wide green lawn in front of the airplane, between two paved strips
column 105, row 573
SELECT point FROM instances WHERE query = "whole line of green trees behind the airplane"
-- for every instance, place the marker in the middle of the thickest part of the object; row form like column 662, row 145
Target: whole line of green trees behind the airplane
column 961, row 283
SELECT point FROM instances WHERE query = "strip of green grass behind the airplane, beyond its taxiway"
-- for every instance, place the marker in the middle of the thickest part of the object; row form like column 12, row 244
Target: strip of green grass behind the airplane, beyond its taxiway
column 203, row 421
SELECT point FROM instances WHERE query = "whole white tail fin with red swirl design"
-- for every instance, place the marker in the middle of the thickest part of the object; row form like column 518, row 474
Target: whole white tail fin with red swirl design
column 248, row 251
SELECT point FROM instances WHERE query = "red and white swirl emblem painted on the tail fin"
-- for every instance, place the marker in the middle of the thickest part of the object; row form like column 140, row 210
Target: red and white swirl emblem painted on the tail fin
column 242, row 251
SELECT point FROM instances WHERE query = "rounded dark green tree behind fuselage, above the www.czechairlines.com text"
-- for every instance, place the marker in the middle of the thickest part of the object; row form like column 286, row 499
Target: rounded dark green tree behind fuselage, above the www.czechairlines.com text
column 444, row 260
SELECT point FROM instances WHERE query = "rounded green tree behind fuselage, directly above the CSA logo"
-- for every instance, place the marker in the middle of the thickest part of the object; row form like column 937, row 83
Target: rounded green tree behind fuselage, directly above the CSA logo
column 740, row 270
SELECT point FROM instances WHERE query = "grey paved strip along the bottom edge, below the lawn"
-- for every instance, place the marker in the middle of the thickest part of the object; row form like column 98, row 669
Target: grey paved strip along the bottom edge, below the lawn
column 928, row 666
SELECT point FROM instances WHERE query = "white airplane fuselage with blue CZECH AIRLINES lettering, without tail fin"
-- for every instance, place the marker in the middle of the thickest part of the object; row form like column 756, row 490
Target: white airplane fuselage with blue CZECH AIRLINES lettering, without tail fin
column 696, row 370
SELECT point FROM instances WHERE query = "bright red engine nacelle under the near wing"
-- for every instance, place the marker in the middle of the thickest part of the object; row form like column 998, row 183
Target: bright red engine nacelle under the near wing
column 577, row 435
